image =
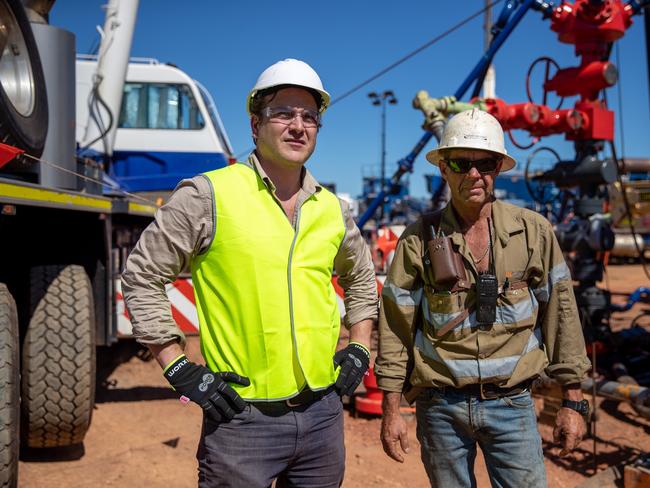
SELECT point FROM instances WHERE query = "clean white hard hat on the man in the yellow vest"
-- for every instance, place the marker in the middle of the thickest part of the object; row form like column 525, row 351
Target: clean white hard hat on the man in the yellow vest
column 290, row 72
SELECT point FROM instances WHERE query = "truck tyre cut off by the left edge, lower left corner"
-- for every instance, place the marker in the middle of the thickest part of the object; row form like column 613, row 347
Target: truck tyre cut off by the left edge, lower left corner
column 9, row 390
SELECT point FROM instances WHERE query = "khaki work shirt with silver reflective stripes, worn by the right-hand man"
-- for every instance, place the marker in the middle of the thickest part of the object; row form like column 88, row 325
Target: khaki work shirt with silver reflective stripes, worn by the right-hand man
column 537, row 324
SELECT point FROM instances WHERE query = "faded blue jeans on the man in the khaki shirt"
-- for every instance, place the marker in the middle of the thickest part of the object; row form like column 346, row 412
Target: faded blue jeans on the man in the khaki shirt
column 451, row 423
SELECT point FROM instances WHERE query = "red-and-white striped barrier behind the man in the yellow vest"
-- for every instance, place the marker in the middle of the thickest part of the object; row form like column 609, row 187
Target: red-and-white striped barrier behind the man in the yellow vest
column 181, row 297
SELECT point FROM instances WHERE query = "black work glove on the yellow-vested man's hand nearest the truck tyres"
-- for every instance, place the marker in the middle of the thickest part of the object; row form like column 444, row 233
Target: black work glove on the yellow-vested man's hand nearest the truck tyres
column 206, row 388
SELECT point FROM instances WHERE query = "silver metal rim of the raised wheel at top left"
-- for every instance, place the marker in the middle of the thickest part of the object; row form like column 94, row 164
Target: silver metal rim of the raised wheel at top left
column 16, row 75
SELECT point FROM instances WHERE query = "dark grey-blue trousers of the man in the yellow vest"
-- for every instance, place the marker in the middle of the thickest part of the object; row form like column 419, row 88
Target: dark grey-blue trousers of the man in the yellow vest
column 300, row 447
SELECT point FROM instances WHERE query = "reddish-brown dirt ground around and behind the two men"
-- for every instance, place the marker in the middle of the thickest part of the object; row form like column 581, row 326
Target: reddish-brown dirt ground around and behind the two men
column 141, row 435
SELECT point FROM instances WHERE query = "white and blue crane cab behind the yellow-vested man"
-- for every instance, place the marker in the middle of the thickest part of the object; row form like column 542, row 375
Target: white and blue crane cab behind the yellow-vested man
column 168, row 127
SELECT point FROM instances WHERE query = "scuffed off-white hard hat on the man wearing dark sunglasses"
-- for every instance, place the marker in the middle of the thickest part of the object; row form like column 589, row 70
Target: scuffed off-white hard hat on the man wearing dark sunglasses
column 473, row 129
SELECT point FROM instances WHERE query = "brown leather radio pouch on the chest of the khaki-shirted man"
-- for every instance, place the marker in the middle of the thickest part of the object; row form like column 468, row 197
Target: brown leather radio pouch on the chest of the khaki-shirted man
column 446, row 264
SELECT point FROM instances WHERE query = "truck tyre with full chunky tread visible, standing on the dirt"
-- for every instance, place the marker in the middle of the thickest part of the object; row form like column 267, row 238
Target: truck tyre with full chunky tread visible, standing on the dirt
column 58, row 375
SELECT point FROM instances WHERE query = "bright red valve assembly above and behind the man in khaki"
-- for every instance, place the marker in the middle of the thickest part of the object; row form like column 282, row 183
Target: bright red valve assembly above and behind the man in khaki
column 591, row 26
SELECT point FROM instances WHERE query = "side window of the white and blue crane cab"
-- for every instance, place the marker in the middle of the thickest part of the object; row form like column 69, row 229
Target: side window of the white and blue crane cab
column 159, row 106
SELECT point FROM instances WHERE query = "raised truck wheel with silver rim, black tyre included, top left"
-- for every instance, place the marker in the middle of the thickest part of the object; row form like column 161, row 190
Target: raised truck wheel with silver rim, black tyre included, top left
column 23, row 99
